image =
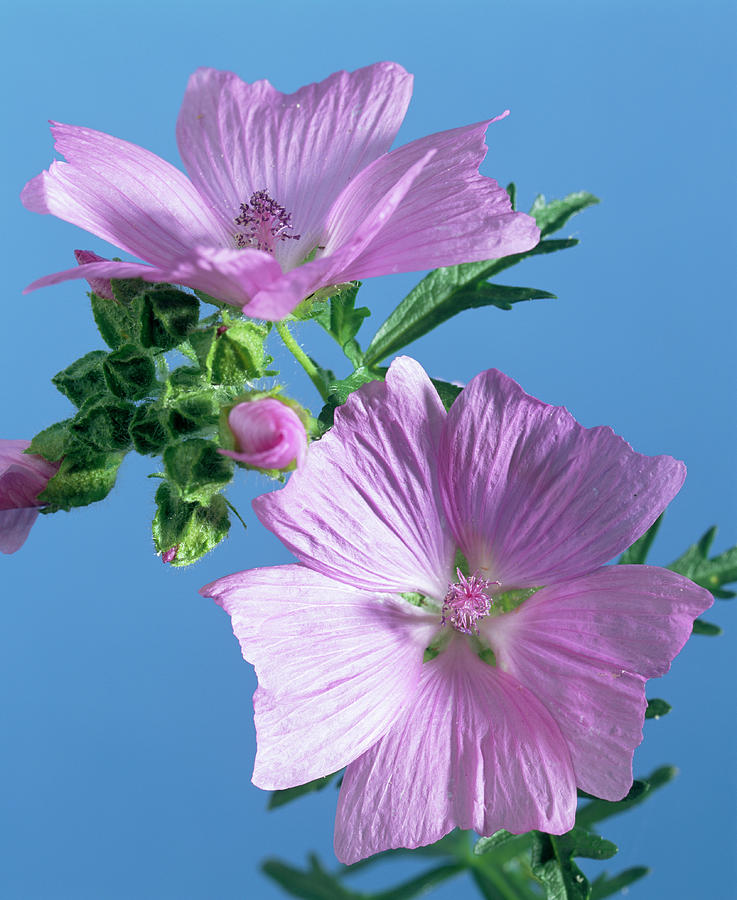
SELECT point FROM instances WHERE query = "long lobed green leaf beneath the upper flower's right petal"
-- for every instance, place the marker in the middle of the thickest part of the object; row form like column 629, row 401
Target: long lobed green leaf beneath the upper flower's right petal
column 448, row 291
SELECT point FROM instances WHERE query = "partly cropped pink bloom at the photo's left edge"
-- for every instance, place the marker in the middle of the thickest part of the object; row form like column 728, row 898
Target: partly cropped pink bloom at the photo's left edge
column 23, row 477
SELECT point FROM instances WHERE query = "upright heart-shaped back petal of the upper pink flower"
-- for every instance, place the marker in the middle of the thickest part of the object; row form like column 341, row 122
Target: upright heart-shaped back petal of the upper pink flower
column 303, row 148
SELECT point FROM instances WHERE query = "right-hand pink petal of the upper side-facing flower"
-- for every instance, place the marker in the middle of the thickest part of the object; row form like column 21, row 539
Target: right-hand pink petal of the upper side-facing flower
column 451, row 214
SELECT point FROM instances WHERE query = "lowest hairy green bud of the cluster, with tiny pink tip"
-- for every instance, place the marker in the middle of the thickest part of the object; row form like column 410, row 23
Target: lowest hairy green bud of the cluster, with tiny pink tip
column 192, row 528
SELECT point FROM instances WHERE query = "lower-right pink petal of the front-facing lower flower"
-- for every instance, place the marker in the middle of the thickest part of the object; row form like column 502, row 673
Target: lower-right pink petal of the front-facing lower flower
column 585, row 648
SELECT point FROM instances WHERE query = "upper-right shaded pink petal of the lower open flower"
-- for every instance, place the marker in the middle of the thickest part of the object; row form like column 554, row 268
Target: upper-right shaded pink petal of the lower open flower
column 534, row 497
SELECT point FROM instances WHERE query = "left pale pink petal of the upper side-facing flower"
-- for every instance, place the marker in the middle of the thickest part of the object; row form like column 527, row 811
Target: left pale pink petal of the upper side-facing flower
column 125, row 195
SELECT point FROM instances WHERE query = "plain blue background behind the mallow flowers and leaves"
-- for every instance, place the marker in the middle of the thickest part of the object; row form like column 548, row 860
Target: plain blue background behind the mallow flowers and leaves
column 127, row 728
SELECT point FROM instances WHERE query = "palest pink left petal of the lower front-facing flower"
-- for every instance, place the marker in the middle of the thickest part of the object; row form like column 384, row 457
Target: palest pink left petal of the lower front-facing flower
column 334, row 665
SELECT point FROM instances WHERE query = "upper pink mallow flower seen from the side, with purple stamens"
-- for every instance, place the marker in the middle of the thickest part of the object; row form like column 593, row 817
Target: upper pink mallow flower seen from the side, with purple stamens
column 287, row 193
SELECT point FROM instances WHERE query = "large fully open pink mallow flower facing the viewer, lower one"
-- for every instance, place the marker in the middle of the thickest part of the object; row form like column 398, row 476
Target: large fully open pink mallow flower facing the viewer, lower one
column 383, row 504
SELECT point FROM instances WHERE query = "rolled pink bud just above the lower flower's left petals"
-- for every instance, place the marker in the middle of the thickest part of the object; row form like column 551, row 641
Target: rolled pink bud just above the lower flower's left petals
column 268, row 434
